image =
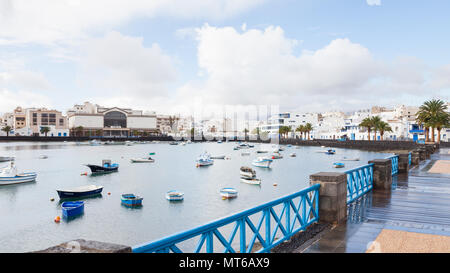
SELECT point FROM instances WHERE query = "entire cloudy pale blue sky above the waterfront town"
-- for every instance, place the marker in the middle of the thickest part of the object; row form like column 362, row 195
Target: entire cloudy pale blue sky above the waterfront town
column 171, row 56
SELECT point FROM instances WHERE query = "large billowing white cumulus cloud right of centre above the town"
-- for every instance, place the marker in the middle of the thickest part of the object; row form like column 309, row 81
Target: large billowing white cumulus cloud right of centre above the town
column 259, row 66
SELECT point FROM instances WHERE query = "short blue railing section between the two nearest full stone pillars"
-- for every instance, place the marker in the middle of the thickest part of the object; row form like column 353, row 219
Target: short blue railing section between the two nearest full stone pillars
column 359, row 182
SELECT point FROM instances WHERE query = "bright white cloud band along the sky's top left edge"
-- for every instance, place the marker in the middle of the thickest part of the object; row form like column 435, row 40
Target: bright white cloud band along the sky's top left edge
column 65, row 21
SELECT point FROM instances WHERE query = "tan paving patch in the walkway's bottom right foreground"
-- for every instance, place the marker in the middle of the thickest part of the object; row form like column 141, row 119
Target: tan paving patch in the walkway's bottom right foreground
column 397, row 241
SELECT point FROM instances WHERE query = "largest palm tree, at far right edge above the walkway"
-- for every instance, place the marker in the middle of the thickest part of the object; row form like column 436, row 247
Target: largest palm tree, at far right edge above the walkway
column 431, row 111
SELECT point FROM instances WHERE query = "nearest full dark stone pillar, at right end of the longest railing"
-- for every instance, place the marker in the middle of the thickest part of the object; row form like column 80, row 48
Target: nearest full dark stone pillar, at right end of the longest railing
column 332, row 196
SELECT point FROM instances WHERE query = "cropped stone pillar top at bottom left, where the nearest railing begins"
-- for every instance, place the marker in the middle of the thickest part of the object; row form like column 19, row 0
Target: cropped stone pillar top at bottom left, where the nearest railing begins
column 84, row 246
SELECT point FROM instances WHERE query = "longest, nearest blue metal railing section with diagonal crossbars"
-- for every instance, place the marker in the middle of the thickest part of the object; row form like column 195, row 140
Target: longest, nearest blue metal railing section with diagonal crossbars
column 299, row 210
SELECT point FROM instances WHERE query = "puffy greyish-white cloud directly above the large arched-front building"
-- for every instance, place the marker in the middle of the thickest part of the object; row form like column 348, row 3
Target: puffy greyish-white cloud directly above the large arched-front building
column 117, row 63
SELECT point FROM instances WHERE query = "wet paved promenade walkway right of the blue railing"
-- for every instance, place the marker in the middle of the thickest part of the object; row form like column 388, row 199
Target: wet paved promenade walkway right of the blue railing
column 413, row 217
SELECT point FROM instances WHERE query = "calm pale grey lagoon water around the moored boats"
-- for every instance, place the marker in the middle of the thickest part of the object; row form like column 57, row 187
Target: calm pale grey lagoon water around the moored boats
column 27, row 213
